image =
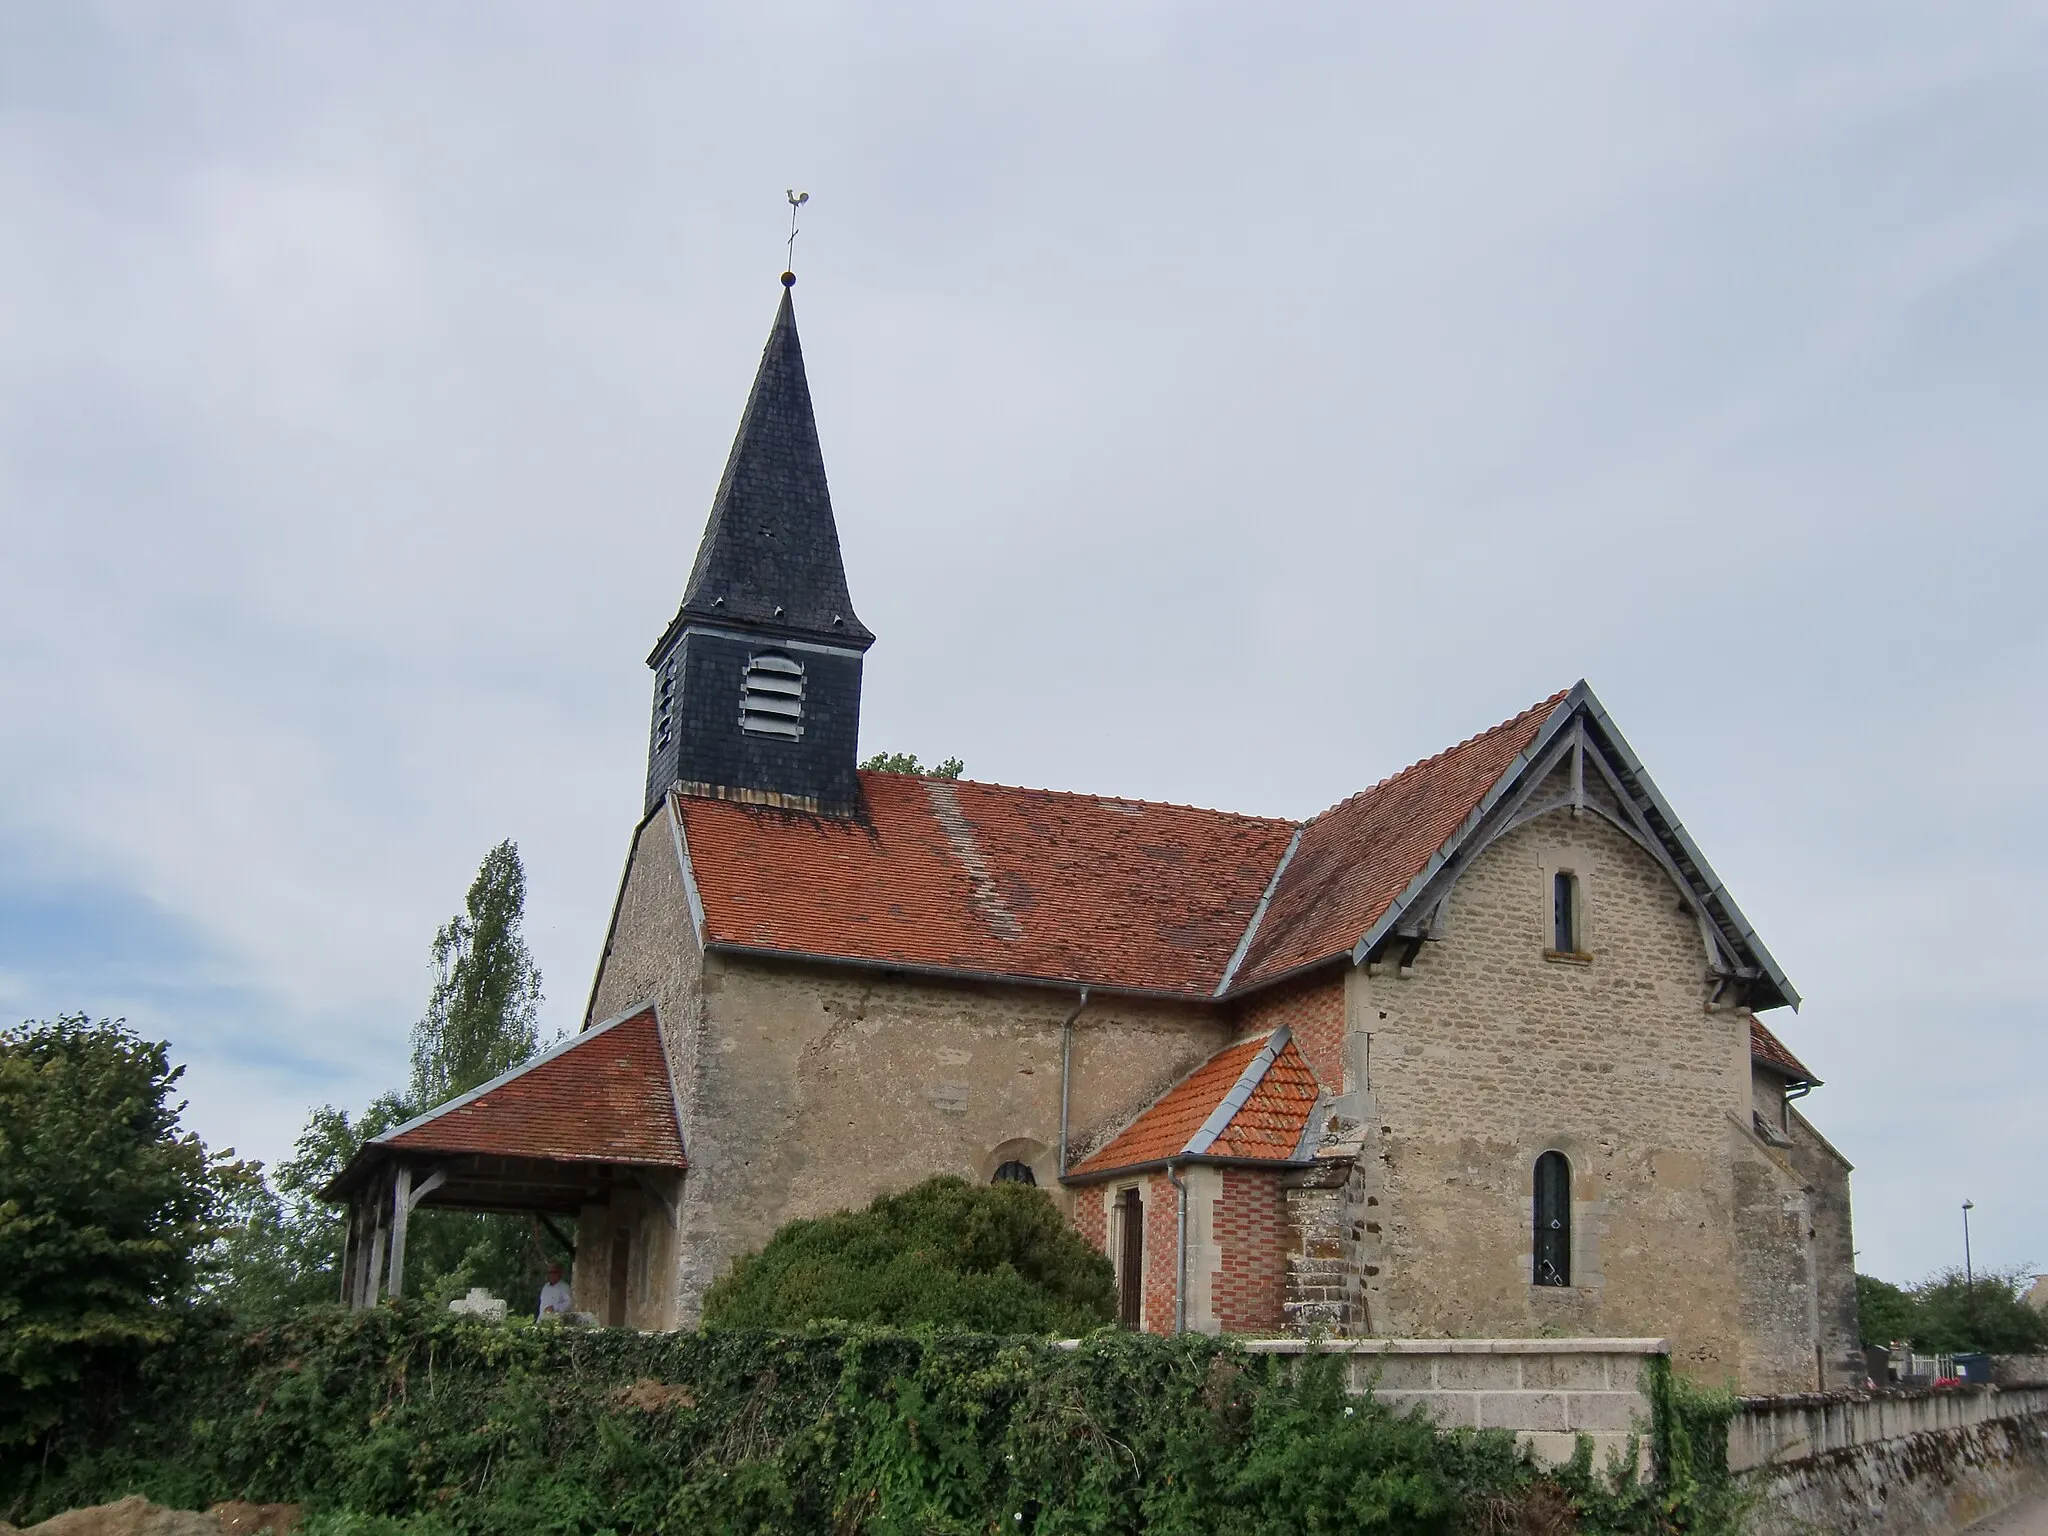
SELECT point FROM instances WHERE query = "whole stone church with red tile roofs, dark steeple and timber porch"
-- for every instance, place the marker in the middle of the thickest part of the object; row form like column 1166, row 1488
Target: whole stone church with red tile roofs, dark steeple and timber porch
column 1474, row 1054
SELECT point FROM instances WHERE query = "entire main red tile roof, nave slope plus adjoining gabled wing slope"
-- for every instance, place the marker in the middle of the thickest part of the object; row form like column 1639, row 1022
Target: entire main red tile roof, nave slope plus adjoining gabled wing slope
column 1078, row 888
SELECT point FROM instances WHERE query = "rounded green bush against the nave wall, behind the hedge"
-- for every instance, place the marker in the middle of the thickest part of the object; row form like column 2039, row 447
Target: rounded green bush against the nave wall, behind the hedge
column 996, row 1258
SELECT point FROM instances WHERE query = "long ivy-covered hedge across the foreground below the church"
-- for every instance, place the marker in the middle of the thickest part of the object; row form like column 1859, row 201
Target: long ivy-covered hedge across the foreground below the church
column 411, row 1422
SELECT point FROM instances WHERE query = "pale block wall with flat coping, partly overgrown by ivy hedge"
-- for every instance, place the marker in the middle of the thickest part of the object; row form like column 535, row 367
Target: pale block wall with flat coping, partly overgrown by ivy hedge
column 1549, row 1392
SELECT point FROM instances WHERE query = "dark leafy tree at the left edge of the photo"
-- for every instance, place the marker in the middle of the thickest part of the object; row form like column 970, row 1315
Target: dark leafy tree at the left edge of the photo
column 110, row 1211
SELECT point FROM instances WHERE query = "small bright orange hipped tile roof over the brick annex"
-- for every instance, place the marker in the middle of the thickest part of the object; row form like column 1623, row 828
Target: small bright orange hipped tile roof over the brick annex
column 1277, row 1089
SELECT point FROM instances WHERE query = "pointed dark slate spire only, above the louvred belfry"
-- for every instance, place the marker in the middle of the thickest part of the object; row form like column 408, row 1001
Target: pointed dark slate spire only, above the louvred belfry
column 771, row 554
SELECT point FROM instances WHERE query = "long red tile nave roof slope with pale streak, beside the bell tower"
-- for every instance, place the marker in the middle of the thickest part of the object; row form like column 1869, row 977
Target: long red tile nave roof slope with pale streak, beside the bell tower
column 992, row 880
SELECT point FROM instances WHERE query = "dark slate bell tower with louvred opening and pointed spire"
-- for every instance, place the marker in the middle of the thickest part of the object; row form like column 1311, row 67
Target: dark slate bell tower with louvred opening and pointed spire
column 757, row 679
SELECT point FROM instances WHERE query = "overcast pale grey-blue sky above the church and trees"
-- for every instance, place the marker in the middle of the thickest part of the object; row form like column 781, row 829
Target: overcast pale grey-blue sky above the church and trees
column 1224, row 404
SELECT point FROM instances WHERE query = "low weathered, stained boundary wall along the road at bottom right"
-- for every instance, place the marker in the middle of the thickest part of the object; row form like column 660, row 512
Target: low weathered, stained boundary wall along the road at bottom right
column 1914, row 1463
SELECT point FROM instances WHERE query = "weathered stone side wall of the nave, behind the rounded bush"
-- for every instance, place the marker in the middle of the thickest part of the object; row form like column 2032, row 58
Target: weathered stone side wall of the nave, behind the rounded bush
column 818, row 1089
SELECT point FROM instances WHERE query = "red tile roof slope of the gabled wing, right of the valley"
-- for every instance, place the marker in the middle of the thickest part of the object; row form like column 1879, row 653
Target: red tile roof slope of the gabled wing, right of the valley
column 1361, row 855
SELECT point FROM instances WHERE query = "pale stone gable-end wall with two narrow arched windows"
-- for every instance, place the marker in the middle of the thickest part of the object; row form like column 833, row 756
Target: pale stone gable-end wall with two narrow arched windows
column 1490, row 1054
